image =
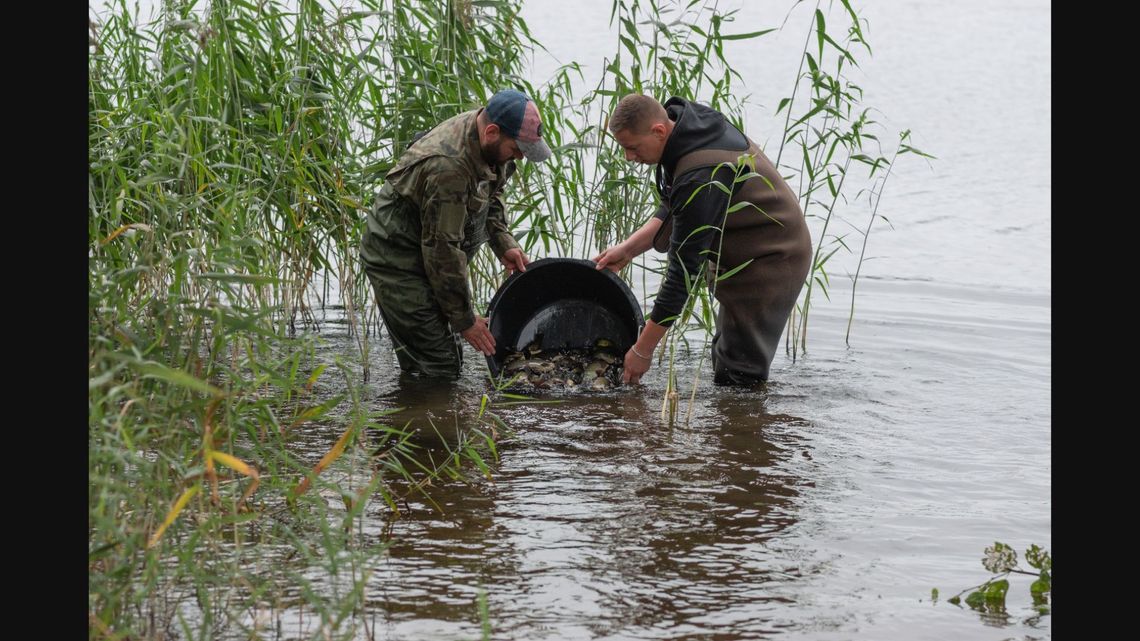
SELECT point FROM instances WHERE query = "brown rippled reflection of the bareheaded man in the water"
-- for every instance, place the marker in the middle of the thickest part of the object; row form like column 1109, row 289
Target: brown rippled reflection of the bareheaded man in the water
column 695, row 557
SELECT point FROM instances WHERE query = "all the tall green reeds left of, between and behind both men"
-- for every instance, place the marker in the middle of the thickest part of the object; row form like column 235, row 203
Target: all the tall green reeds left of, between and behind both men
column 234, row 148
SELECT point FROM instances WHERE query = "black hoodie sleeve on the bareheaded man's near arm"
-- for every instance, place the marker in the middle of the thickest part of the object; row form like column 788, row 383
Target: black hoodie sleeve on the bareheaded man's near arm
column 698, row 210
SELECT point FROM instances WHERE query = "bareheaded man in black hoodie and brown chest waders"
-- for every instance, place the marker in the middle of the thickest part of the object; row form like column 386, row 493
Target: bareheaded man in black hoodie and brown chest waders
column 688, row 142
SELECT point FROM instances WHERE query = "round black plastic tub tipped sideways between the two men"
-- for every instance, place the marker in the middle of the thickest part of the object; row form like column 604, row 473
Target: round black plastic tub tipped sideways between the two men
column 564, row 304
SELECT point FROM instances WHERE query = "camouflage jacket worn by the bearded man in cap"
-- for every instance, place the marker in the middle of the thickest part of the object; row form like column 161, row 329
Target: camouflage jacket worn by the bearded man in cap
column 438, row 206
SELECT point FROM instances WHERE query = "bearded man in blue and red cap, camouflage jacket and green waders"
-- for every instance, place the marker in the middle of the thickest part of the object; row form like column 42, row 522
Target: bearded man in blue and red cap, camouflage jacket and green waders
column 441, row 202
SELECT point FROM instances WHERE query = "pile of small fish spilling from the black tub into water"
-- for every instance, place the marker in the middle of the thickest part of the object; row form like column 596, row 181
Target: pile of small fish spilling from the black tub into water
column 596, row 369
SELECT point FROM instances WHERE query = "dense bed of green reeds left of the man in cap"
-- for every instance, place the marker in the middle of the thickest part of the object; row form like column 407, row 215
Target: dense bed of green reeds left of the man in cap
column 233, row 148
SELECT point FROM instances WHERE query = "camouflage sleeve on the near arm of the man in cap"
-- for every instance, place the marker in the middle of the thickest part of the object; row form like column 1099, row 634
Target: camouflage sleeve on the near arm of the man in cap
column 444, row 212
